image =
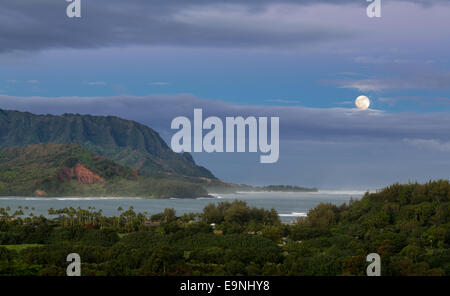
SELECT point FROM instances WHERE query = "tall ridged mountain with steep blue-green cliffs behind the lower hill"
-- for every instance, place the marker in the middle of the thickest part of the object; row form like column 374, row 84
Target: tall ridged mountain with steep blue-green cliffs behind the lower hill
column 127, row 142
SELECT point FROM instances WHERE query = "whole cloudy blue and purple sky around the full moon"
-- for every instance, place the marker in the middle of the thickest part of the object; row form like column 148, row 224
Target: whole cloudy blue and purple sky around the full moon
column 302, row 61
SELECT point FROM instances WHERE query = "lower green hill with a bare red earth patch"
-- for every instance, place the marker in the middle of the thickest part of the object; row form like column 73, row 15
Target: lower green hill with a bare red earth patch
column 51, row 169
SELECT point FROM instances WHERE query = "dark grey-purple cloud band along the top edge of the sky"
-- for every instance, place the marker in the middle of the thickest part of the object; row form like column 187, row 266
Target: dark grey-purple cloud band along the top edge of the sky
column 36, row 25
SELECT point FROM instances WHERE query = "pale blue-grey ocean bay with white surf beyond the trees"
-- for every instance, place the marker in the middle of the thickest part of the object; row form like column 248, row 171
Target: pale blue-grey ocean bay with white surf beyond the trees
column 288, row 205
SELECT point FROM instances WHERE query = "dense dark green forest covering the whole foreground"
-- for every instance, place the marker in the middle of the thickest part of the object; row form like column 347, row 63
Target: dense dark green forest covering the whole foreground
column 407, row 225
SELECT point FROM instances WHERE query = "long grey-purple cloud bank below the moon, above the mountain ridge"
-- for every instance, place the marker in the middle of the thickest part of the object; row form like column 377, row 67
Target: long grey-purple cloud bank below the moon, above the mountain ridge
column 296, row 122
